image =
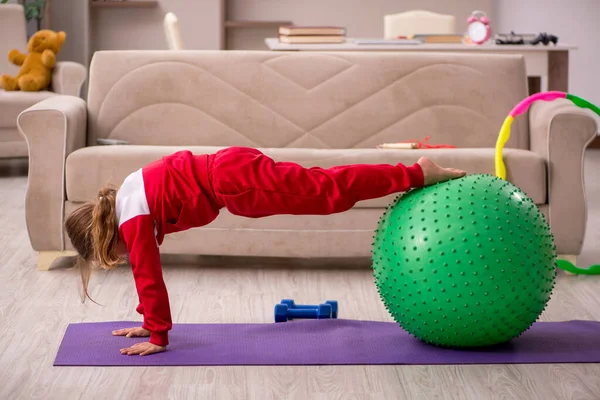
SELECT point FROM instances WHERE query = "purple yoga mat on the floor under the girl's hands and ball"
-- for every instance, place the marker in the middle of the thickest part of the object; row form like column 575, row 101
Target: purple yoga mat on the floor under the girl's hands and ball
column 322, row 342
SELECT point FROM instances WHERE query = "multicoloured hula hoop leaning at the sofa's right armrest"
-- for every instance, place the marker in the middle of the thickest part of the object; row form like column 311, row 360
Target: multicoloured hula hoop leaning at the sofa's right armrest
column 504, row 135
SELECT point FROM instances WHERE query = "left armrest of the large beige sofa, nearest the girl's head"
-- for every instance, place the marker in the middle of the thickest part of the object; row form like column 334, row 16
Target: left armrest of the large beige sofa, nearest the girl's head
column 53, row 128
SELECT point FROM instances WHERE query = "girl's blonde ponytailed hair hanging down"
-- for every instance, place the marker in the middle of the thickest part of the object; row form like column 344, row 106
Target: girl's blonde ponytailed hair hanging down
column 94, row 232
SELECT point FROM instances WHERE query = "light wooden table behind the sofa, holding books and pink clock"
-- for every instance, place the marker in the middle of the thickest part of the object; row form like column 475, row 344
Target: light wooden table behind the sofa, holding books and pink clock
column 547, row 67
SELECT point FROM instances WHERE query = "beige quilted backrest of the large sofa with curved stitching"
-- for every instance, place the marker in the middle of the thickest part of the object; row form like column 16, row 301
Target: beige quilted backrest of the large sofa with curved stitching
column 304, row 99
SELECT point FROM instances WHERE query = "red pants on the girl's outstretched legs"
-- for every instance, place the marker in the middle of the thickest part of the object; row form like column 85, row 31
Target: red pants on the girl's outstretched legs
column 249, row 183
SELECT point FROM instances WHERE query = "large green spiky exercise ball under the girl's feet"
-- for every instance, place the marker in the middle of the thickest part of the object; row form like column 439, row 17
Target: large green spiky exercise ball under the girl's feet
column 465, row 263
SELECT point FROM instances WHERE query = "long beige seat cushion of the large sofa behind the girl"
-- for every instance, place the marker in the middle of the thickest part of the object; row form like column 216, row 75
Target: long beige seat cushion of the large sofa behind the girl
column 88, row 169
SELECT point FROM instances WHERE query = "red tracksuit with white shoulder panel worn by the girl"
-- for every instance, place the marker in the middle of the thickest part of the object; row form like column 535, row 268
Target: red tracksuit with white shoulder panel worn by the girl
column 183, row 191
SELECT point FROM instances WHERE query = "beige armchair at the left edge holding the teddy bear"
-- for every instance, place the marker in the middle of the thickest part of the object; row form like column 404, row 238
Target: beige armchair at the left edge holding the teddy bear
column 67, row 79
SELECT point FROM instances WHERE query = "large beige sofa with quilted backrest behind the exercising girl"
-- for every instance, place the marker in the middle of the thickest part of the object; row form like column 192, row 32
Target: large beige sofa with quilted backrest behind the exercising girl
column 320, row 109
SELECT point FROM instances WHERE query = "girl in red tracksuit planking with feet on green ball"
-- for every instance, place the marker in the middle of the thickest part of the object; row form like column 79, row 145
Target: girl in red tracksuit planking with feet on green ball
column 183, row 191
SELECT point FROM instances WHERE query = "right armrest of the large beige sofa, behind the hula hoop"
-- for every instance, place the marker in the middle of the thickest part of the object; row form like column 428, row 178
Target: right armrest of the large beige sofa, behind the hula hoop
column 560, row 132
